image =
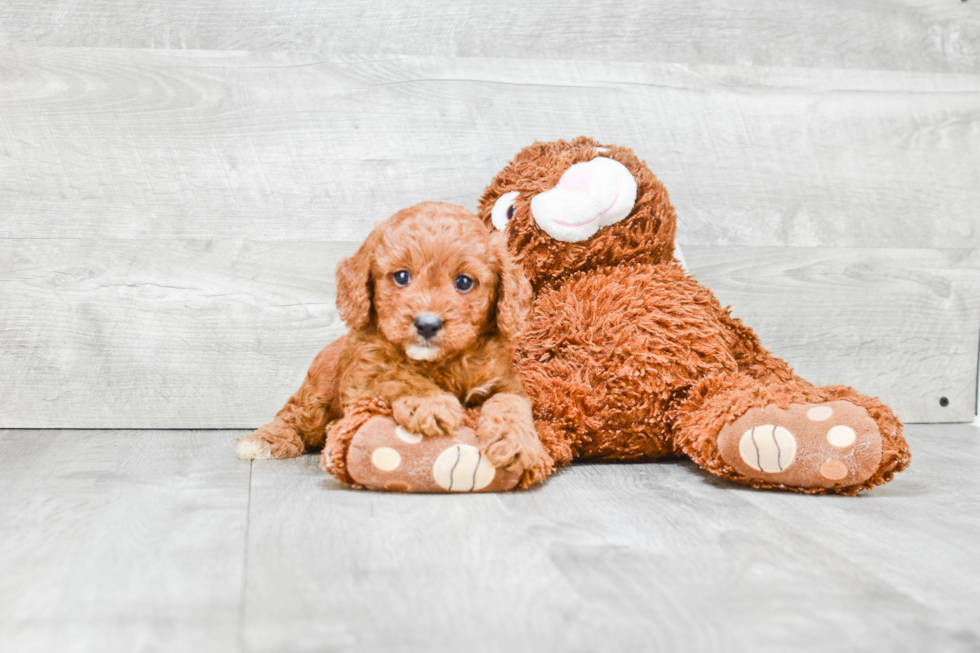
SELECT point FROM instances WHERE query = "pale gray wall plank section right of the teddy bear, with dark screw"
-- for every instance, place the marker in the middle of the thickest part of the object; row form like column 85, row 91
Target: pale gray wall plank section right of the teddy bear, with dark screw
column 903, row 325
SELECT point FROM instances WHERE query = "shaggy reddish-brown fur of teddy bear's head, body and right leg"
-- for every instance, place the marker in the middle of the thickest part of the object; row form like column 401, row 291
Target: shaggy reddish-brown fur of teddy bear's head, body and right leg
column 627, row 357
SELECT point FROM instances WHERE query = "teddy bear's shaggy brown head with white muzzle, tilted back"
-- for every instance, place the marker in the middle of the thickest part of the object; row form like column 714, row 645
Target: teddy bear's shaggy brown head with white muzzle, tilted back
column 568, row 206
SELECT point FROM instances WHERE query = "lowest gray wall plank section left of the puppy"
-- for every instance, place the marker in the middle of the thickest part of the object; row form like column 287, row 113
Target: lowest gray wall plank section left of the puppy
column 150, row 334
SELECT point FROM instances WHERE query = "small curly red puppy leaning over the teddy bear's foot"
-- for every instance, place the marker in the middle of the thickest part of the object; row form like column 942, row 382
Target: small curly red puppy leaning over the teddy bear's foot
column 434, row 305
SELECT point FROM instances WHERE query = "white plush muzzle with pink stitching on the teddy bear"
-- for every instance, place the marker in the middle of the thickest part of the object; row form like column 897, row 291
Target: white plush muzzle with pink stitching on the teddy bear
column 590, row 195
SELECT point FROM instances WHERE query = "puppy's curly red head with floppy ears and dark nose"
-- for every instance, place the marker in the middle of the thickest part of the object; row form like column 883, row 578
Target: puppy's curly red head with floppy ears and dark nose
column 435, row 280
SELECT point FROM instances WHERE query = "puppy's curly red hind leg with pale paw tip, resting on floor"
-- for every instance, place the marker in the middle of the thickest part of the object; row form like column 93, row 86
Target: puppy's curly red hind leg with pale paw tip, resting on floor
column 301, row 424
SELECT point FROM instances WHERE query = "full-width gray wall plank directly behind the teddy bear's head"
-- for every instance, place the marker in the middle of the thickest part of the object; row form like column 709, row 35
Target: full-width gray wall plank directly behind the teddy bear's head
column 166, row 144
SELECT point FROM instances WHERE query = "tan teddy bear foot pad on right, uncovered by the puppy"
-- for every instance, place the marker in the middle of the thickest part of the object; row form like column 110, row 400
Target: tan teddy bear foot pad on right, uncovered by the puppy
column 826, row 445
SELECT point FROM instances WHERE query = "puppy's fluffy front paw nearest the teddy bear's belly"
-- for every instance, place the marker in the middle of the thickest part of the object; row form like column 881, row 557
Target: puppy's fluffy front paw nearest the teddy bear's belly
column 506, row 432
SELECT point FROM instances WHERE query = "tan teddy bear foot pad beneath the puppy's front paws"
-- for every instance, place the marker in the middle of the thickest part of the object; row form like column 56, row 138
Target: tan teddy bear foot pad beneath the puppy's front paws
column 384, row 456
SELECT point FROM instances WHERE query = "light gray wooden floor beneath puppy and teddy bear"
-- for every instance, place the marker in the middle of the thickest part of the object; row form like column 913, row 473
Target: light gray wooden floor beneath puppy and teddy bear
column 163, row 540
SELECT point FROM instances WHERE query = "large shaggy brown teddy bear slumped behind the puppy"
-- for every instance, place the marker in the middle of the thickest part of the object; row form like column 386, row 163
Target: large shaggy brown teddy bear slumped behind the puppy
column 628, row 358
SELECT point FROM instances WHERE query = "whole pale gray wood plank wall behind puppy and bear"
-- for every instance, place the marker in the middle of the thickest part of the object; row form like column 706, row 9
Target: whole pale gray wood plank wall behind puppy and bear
column 178, row 180
